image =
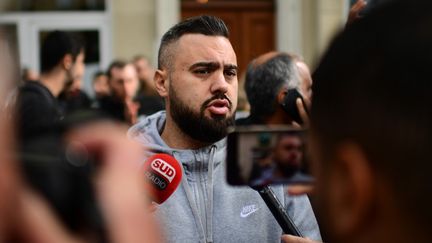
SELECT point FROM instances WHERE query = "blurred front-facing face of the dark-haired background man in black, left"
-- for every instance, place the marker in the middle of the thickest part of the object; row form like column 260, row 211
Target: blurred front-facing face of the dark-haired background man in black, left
column 124, row 82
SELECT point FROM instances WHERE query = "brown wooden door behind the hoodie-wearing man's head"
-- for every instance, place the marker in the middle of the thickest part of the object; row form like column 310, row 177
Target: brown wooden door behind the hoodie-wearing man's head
column 250, row 22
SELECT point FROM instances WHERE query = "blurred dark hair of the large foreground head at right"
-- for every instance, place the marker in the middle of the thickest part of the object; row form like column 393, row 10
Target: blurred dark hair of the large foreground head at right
column 373, row 88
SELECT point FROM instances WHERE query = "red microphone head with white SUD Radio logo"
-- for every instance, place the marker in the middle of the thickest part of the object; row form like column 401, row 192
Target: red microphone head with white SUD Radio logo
column 163, row 173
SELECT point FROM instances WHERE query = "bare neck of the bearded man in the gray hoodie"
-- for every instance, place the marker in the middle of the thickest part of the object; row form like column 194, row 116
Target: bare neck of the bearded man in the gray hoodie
column 174, row 137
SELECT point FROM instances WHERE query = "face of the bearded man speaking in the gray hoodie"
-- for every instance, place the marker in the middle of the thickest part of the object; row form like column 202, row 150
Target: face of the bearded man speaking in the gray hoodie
column 203, row 86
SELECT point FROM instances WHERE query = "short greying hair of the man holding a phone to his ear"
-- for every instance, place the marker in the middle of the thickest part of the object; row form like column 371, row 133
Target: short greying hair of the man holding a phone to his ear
column 264, row 81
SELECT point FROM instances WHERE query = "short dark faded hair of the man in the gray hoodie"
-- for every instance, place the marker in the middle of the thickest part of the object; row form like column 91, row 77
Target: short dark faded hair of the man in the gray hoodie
column 206, row 25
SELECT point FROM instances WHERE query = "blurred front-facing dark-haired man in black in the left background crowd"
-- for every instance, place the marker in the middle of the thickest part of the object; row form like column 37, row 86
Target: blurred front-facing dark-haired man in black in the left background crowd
column 123, row 83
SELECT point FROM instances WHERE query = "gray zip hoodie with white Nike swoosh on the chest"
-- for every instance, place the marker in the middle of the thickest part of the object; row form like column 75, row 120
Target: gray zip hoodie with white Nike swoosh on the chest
column 204, row 208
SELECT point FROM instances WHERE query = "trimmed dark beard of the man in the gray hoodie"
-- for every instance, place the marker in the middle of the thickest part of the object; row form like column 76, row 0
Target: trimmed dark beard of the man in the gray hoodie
column 195, row 124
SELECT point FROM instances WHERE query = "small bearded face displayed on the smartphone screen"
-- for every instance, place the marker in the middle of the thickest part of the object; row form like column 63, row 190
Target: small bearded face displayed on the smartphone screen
column 288, row 151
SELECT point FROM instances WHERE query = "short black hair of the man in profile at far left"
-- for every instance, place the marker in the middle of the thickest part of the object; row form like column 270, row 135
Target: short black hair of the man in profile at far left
column 55, row 46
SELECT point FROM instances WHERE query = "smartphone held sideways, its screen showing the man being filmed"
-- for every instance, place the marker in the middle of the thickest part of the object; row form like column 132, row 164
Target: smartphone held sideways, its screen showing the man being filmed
column 263, row 155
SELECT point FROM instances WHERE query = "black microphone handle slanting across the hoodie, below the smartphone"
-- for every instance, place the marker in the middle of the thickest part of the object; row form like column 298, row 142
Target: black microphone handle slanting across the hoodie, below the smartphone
column 278, row 211
